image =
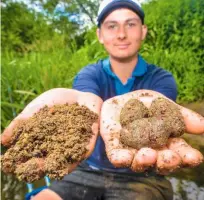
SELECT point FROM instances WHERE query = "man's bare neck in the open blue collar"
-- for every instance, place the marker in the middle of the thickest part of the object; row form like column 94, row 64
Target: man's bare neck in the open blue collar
column 123, row 68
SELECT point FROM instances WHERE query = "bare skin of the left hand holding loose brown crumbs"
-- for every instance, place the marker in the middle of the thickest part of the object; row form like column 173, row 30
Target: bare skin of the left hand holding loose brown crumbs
column 51, row 98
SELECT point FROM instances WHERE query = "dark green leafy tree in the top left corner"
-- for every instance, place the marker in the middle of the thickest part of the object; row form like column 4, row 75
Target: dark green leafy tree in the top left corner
column 20, row 27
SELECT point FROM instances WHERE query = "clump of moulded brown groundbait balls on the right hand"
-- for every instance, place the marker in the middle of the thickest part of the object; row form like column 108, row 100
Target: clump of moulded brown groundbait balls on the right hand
column 152, row 128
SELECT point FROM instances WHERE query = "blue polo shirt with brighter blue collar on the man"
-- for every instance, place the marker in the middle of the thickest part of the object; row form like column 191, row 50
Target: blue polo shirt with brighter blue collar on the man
column 99, row 79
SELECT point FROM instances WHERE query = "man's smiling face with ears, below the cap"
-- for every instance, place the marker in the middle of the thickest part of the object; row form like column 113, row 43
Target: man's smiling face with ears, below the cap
column 121, row 33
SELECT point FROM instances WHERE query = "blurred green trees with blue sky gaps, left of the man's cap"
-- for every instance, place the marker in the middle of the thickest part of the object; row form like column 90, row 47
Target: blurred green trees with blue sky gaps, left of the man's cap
column 23, row 27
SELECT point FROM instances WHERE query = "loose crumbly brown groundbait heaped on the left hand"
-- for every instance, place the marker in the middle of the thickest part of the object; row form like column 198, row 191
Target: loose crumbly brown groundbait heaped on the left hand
column 49, row 141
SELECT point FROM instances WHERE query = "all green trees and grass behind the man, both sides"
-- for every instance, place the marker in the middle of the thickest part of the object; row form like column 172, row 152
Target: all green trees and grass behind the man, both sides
column 43, row 50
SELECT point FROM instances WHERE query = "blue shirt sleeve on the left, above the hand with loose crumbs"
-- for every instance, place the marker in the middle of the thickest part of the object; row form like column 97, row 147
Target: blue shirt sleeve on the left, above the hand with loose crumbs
column 86, row 81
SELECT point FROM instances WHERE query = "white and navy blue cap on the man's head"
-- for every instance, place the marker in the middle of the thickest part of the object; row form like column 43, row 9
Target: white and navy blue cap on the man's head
column 108, row 6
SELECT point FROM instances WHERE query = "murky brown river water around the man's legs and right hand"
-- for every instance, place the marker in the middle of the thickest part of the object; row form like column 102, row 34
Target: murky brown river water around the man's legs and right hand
column 188, row 184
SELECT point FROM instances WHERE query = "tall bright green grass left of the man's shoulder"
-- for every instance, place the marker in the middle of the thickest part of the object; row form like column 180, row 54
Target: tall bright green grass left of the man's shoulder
column 23, row 78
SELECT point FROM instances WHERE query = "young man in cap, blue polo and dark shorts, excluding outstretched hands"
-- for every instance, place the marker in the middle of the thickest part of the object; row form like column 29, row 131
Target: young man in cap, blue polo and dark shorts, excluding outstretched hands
column 121, row 30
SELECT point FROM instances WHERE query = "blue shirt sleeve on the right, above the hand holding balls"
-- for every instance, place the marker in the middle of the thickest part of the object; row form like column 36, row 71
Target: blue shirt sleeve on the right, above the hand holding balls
column 166, row 85
